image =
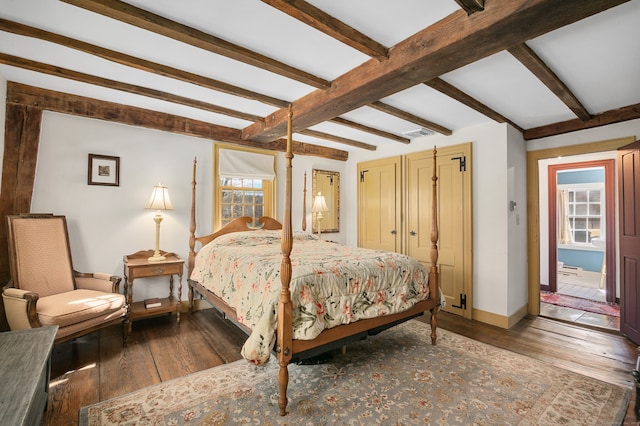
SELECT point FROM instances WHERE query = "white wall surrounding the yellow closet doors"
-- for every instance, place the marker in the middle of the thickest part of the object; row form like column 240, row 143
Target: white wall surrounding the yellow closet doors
column 490, row 206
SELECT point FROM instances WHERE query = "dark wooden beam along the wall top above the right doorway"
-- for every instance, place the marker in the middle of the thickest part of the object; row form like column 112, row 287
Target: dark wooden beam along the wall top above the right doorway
column 631, row 112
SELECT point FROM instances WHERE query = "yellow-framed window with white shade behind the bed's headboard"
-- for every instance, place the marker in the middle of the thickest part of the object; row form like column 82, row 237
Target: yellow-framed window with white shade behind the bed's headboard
column 244, row 184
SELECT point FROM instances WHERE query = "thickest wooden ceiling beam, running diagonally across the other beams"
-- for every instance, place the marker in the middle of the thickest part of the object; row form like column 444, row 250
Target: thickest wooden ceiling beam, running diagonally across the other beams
column 449, row 44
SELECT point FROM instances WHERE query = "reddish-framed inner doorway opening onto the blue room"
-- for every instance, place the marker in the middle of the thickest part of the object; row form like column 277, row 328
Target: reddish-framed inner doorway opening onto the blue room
column 582, row 270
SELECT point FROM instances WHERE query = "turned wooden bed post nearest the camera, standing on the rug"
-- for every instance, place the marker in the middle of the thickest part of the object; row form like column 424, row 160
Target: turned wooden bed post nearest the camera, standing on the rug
column 285, row 325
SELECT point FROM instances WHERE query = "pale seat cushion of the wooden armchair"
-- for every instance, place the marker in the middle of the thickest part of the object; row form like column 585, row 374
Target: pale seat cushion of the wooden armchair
column 76, row 306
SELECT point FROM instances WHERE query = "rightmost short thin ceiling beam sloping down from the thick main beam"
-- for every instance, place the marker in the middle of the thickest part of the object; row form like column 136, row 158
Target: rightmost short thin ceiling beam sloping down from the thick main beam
column 529, row 59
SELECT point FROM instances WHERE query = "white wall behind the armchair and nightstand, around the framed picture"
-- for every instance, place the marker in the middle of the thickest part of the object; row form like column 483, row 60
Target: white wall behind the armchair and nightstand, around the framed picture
column 107, row 222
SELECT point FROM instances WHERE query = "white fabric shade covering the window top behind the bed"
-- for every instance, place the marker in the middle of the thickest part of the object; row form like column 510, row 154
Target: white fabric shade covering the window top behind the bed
column 243, row 164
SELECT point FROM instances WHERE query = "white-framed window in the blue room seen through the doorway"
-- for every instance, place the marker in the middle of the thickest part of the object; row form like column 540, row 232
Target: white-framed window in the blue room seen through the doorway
column 584, row 213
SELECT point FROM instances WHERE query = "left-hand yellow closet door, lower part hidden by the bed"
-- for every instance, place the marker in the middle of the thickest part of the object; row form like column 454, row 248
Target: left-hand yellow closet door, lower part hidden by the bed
column 379, row 204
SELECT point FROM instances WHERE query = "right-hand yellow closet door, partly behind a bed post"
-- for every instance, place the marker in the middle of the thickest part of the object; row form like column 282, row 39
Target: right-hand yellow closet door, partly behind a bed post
column 454, row 220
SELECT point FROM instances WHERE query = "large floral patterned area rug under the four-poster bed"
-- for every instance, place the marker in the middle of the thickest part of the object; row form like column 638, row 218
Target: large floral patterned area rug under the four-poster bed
column 393, row 378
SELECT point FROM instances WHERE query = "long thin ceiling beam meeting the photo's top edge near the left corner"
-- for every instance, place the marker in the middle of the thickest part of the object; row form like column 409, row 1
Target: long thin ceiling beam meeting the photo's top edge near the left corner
column 149, row 21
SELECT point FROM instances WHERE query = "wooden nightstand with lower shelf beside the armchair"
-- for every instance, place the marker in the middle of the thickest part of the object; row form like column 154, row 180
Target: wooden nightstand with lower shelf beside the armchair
column 137, row 265
